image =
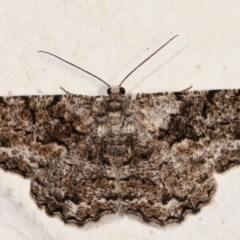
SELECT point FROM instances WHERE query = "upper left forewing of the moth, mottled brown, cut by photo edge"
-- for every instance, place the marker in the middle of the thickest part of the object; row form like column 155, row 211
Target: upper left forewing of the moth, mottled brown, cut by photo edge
column 36, row 130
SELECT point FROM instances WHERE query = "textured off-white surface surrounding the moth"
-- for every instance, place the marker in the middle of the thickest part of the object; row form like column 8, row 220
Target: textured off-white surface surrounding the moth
column 109, row 38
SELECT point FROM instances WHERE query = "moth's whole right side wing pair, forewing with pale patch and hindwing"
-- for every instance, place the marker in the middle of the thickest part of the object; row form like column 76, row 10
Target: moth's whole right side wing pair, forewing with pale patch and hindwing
column 183, row 138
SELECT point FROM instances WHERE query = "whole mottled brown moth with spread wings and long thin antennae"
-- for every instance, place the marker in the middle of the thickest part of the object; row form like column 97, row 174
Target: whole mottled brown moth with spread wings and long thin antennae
column 152, row 157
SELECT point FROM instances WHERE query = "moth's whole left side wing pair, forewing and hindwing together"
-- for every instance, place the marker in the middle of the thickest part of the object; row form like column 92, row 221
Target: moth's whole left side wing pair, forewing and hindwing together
column 51, row 139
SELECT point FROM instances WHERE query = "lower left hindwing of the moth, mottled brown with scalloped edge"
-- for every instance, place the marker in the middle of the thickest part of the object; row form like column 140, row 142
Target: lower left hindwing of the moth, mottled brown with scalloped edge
column 79, row 187
